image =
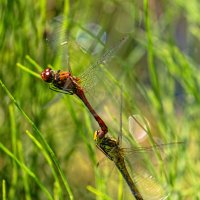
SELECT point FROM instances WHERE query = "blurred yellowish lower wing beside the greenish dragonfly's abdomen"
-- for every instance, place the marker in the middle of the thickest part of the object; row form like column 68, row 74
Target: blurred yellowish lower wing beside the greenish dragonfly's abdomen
column 148, row 174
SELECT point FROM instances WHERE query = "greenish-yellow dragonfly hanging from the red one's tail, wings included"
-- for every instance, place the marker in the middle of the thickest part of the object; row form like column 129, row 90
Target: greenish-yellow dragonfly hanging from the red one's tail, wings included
column 112, row 149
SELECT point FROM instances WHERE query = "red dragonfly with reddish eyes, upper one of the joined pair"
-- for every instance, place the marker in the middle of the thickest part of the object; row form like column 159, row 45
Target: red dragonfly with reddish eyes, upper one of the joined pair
column 65, row 82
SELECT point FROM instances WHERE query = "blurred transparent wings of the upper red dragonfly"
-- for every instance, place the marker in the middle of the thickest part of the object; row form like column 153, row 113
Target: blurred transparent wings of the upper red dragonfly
column 70, row 48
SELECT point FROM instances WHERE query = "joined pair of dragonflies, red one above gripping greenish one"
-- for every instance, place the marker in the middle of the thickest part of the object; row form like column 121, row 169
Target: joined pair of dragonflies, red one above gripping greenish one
column 65, row 82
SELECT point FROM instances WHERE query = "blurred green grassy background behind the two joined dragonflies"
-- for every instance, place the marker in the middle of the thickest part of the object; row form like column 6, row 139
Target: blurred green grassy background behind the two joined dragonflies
column 158, row 67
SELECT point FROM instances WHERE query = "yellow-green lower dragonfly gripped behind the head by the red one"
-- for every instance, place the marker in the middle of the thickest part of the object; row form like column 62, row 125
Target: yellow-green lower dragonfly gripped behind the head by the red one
column 112, row 149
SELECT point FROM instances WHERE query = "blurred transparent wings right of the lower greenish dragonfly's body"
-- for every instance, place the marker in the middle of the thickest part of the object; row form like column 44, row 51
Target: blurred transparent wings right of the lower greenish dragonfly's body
column 145, row 162
